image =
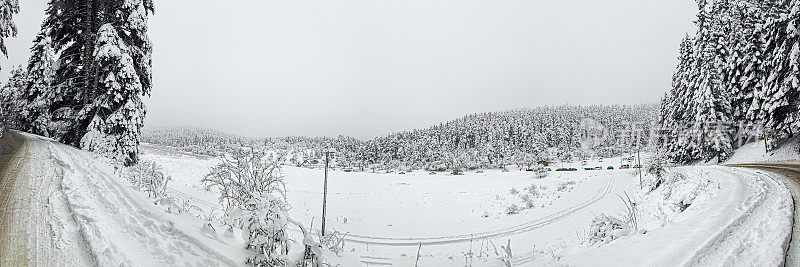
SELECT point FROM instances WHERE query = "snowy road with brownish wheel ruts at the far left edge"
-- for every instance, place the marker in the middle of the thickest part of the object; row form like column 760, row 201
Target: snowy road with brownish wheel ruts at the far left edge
column 33, row 228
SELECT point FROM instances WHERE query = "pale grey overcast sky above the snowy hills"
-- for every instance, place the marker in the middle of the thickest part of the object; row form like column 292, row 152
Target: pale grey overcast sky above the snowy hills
column 367, row 68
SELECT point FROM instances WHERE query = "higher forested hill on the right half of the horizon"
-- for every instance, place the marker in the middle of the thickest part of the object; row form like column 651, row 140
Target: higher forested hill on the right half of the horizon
column 518, row 136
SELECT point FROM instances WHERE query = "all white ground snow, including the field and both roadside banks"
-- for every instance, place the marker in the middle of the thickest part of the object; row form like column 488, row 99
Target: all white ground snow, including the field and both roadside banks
column 705, row 216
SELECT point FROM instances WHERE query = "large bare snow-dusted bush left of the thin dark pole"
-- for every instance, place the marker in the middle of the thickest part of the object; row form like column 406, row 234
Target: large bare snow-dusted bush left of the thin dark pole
column 252, row 190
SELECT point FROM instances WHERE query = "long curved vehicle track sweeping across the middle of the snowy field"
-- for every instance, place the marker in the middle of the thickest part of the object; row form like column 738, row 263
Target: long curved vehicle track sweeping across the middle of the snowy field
column 465, row 238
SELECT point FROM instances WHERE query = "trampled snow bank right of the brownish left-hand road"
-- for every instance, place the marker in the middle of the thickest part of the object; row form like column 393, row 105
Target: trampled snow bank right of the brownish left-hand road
column 120, row 225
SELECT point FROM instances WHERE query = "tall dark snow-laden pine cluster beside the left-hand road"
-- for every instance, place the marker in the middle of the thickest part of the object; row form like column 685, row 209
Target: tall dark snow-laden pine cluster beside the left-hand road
column 86, row 98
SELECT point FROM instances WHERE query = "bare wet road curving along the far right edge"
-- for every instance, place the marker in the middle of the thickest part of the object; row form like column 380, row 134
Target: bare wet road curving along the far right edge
column 791, row 172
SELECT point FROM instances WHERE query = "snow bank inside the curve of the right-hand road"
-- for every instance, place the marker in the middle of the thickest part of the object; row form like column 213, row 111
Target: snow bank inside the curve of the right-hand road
column 707, row 216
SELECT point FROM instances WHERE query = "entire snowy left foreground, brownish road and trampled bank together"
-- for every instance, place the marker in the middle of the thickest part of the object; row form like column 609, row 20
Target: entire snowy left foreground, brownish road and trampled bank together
column 66, row 207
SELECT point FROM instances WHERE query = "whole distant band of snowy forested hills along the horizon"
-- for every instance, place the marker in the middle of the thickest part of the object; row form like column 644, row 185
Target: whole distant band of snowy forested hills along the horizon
column 482, row 140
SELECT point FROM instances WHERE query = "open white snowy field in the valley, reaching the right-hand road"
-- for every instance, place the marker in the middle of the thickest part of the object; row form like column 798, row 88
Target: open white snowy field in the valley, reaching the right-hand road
column 388, row 217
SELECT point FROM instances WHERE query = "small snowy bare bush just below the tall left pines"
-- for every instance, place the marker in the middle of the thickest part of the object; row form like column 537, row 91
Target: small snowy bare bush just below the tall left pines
column 148, row 176
